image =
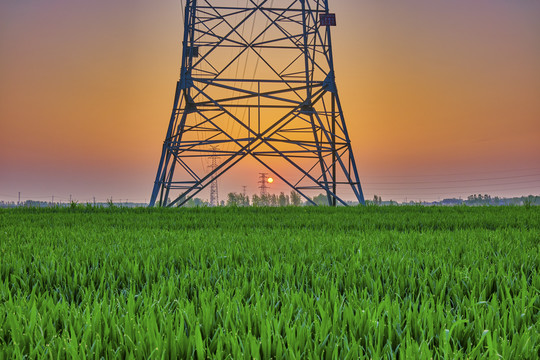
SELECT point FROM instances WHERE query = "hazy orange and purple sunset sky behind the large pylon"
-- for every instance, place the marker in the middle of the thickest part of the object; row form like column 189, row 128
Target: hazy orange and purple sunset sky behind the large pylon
column 442, row 98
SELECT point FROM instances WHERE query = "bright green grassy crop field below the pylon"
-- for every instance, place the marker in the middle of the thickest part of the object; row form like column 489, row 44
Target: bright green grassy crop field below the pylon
column 374, row 282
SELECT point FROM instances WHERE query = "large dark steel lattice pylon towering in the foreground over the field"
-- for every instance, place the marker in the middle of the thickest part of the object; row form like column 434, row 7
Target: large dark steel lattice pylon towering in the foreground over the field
column 257, row 81
